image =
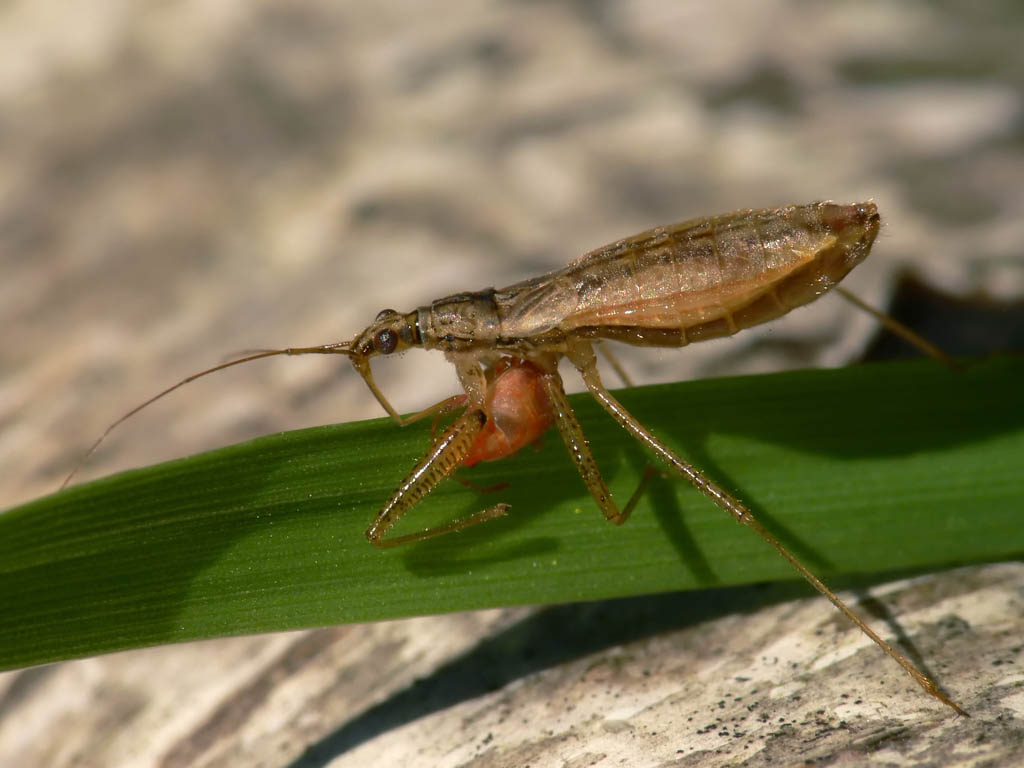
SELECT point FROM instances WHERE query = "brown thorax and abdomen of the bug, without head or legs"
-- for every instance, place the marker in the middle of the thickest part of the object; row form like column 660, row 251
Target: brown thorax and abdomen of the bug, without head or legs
column 667, row 287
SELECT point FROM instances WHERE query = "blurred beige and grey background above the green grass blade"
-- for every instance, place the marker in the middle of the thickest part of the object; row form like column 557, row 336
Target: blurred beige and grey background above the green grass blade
column 182, row 182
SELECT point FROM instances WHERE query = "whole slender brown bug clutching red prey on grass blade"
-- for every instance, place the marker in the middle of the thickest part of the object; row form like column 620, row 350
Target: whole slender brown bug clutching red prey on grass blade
column 671, row 286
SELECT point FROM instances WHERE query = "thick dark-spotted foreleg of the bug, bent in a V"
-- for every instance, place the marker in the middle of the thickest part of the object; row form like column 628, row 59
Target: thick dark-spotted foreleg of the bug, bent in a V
column 440, row 462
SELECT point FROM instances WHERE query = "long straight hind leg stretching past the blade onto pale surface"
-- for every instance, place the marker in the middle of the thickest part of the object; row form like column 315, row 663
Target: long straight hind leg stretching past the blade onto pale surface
column 582, row 355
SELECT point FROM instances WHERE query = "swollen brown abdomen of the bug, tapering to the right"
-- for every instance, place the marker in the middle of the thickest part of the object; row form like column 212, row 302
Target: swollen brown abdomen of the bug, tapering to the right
column 714, row 277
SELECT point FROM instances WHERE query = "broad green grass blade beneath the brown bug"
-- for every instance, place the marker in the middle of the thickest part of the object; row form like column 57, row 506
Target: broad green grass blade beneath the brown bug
column 858, row 471
